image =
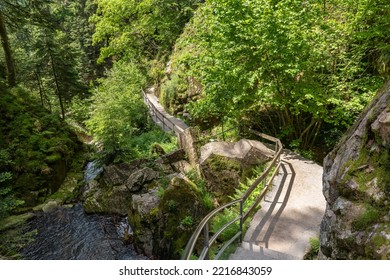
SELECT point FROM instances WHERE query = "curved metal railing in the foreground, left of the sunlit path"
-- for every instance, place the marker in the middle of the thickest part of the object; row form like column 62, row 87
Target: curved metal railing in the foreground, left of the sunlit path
column 204, row 226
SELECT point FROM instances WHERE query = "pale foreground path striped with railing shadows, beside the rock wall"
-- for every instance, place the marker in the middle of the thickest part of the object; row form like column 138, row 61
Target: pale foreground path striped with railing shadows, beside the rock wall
column 290, row 214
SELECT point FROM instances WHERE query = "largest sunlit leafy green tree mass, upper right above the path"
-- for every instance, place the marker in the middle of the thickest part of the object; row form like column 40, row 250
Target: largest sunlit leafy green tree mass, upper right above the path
column 287, row 67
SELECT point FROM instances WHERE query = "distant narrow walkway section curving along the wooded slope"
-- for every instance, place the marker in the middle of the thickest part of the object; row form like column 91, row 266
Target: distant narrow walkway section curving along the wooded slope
column 160, row 116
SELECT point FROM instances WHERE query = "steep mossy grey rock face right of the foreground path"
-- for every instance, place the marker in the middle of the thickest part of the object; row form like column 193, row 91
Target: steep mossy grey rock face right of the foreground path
column 356, row 185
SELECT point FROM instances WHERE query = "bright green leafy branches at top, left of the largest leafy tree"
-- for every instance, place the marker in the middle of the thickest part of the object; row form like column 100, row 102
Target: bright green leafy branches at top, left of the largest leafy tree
column 139, row 29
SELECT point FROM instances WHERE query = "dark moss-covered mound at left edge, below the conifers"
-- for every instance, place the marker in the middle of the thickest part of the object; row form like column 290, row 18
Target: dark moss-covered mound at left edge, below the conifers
column 40, row 145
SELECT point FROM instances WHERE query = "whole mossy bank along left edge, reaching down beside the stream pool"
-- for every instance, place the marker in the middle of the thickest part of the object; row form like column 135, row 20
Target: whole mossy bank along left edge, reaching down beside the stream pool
column 38, row 149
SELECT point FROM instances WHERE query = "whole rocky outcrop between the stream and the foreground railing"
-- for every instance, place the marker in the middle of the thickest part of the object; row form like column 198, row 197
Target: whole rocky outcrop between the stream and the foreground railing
column 165, row 198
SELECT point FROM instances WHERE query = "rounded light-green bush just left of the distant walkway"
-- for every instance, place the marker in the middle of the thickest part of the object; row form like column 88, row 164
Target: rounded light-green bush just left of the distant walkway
column 118, row 112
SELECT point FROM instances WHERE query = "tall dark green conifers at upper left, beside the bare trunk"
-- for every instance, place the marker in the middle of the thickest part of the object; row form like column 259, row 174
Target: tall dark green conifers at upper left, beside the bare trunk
column 49, row 54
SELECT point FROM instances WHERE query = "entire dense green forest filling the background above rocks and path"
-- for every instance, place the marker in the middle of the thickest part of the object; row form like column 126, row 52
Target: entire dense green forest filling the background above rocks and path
column 72, row 71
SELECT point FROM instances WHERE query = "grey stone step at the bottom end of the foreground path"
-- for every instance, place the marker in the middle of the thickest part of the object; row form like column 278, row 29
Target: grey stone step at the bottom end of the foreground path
column 249, row 251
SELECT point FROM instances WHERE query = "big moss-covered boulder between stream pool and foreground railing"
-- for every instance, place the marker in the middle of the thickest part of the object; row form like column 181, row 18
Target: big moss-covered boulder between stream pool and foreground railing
column 164, row 221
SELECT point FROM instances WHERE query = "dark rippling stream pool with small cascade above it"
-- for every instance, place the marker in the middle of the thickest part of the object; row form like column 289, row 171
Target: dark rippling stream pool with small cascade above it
column 68, row 233
